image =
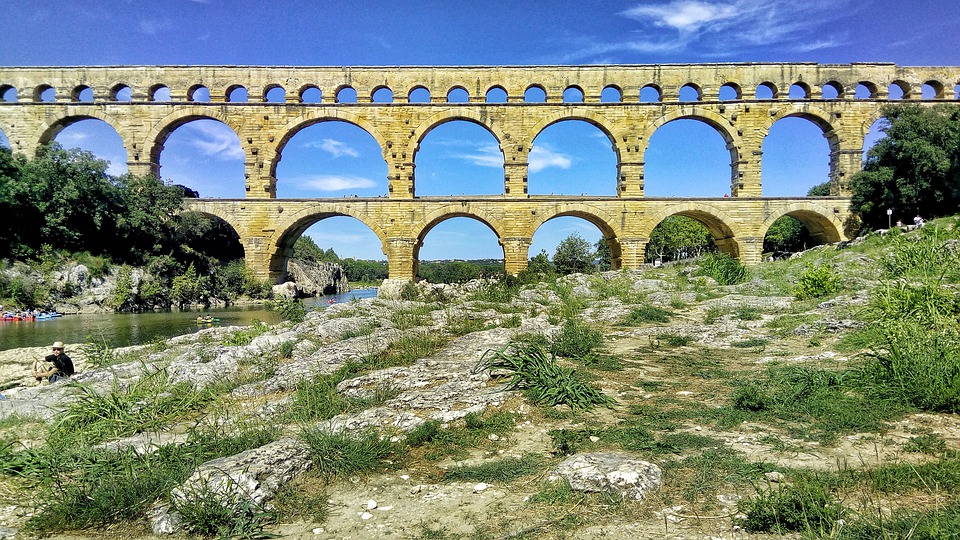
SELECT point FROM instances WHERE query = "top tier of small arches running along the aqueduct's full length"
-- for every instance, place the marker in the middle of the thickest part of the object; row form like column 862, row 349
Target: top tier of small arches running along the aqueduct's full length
column 141, row 83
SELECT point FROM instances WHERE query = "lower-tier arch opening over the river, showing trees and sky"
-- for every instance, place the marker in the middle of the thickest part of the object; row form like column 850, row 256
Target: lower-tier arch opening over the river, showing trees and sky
column 336, row 238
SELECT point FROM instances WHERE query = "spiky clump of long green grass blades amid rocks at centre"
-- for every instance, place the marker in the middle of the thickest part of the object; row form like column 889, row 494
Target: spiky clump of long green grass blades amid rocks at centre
column 535, row 371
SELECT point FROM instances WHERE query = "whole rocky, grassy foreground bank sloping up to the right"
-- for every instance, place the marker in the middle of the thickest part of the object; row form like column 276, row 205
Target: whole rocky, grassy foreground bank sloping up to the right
column 728, row 391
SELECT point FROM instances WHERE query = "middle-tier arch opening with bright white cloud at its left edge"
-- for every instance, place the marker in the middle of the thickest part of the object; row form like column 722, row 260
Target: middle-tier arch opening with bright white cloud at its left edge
column 572, row 157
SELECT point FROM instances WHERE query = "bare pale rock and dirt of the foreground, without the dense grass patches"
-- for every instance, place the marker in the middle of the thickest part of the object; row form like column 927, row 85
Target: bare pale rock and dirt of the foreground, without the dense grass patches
column 682, row 369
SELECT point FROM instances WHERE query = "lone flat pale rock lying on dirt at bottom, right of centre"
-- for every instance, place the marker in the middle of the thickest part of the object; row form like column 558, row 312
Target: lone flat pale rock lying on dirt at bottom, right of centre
column 610, row 472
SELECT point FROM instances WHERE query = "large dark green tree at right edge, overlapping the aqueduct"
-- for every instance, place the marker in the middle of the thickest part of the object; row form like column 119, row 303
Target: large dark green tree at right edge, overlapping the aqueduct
column 914, row 169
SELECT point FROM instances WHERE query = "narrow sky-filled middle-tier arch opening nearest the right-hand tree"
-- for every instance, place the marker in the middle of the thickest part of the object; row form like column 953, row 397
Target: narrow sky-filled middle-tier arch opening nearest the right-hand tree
column 796, row 157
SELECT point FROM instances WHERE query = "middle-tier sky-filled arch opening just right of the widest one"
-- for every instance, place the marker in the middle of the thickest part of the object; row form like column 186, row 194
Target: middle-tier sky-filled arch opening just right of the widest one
column 459, row 157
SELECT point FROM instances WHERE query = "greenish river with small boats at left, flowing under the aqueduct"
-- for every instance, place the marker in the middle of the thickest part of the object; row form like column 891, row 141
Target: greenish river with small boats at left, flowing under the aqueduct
column 123, row 329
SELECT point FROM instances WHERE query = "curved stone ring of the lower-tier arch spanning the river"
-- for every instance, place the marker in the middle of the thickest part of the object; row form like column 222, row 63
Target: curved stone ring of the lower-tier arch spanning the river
column 293, row 225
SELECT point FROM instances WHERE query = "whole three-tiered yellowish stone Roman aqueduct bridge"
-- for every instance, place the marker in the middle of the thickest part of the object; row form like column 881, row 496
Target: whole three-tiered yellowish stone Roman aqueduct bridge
column 145, row 104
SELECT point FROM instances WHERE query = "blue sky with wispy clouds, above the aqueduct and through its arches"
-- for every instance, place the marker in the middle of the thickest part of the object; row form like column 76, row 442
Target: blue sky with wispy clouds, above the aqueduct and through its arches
column 333, row 160
